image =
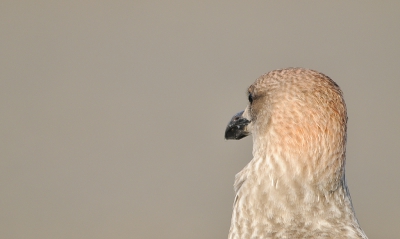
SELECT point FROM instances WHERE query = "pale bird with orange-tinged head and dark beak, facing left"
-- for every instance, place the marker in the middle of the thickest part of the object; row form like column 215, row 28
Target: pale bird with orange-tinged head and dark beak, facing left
column 295, row 184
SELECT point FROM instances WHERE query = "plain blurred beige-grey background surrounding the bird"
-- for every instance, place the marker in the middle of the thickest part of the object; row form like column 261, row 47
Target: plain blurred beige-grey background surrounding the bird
column 113, row 112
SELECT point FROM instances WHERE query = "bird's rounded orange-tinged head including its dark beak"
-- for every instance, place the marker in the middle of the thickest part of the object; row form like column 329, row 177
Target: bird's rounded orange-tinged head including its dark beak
column 294, row 114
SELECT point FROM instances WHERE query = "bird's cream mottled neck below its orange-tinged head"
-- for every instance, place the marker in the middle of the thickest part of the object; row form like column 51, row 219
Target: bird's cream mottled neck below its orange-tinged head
column 269, row 192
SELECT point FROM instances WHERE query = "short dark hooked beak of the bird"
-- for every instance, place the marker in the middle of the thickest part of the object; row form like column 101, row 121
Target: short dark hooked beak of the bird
column 237, row 127
